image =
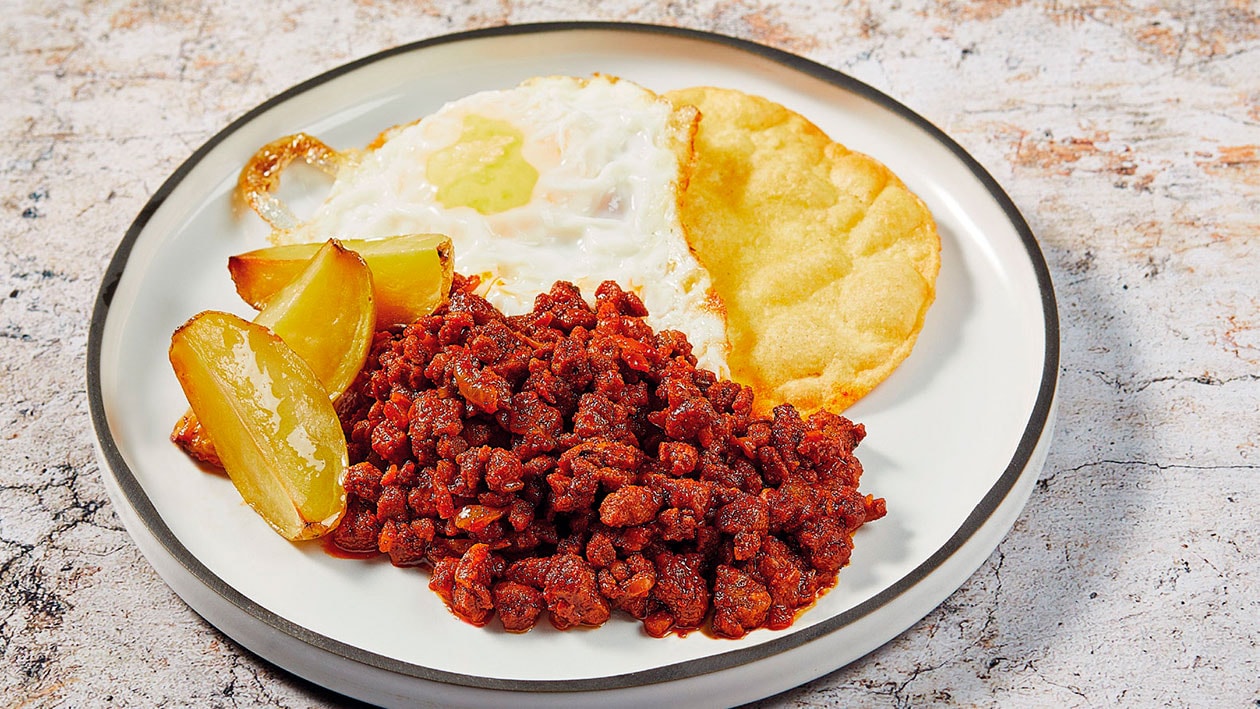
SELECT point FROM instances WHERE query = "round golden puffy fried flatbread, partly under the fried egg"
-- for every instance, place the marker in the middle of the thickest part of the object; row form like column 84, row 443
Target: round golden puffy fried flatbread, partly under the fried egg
column 826, row 261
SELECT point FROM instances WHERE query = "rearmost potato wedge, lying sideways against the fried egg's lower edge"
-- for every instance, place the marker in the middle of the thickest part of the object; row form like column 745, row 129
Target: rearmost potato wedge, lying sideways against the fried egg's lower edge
column 413, row 274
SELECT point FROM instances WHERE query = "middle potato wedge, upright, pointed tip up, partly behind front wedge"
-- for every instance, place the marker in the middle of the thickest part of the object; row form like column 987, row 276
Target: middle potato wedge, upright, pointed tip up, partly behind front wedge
column 326, row 315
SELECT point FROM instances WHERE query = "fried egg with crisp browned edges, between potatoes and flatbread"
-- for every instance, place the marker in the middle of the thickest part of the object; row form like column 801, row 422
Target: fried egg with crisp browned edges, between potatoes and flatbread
column 561, row 178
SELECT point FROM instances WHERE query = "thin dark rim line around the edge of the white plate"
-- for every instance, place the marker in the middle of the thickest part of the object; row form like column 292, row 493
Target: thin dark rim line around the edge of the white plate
column 144, row 507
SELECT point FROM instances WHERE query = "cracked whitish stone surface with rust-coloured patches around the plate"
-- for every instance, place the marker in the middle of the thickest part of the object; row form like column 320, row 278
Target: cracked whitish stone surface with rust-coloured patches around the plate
column 1127, row 134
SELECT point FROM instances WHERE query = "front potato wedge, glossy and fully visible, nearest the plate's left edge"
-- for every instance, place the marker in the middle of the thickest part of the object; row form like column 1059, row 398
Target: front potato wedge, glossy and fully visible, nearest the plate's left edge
column 273, row 424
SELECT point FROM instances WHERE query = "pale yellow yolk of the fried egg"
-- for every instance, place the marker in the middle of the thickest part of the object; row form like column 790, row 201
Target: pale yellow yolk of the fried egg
column 484, row 169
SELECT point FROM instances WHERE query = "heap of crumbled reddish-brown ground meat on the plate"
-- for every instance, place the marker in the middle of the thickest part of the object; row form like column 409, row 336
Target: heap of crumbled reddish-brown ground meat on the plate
column 573, row 463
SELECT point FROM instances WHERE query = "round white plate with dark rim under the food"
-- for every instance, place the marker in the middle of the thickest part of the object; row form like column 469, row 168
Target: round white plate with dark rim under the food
column 956, row 436
